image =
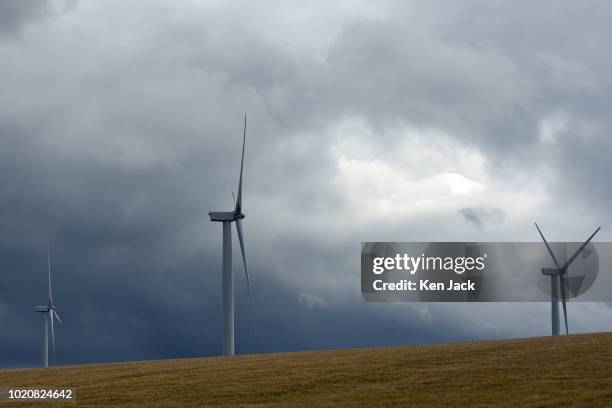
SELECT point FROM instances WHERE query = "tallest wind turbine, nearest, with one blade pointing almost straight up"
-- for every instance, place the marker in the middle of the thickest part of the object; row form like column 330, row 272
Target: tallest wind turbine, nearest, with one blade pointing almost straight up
column 227, row 217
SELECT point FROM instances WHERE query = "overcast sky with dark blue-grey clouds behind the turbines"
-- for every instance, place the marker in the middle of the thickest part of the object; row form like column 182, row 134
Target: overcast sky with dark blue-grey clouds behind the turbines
column 120, row 128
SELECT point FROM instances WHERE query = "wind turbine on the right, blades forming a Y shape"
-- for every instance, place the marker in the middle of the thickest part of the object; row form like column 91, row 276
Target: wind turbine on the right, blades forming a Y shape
column 558, row 278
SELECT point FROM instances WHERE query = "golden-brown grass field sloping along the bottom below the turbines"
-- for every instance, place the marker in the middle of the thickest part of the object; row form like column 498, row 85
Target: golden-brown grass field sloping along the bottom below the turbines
column 567, row 371
